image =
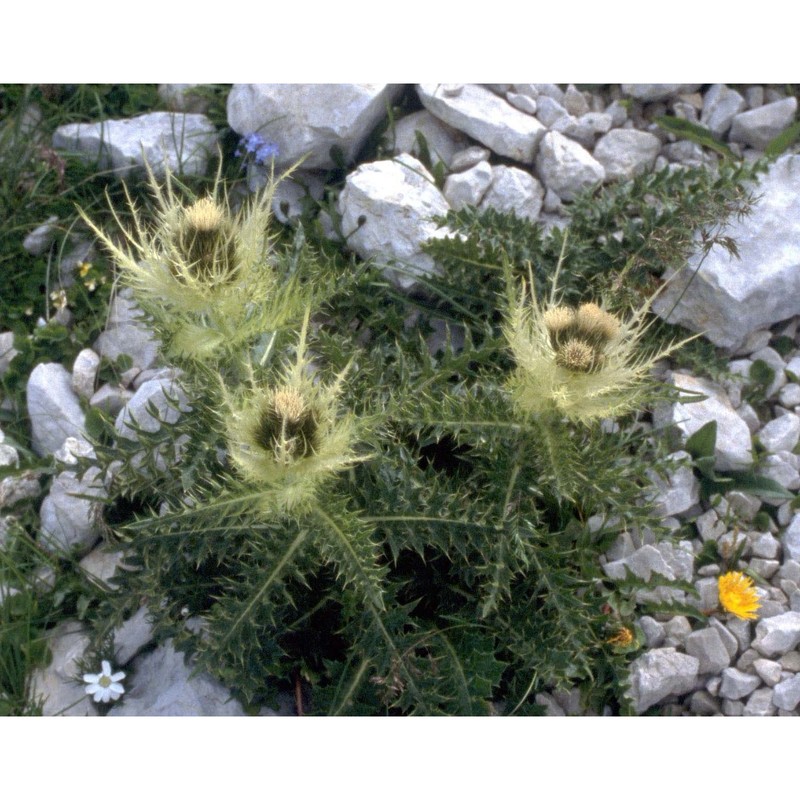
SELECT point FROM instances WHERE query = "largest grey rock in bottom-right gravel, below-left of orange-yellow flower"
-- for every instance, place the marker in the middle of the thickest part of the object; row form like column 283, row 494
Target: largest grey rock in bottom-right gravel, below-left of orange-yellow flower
column 658, row 674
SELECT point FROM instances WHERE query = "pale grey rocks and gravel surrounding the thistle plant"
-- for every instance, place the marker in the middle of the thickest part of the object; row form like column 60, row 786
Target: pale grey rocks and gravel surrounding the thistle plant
column 553, row 142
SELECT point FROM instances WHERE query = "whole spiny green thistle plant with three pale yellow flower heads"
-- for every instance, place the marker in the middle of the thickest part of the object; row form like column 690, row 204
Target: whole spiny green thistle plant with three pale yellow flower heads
column 387, row 503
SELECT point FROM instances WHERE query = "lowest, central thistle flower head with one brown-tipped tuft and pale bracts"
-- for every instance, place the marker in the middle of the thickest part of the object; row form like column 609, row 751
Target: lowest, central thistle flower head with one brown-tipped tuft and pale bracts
column 290, row 437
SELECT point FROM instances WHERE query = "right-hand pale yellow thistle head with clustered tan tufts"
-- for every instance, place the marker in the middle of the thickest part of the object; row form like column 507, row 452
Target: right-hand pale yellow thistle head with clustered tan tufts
column 584, row 363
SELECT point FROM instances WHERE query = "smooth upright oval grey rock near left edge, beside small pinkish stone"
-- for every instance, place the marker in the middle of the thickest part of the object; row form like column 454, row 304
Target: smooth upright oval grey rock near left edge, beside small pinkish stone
column 53, row 408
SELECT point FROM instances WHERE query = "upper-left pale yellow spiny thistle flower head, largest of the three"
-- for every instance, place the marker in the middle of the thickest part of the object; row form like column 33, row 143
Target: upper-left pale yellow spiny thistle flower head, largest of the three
column 204, row 273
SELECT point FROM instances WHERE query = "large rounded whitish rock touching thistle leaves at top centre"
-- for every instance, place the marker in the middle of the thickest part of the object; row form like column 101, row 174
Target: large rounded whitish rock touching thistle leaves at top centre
column 395, row 201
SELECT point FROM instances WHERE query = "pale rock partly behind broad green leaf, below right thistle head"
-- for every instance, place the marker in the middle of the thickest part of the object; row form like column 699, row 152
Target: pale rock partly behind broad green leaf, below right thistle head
column 733, row 448
